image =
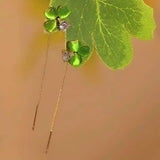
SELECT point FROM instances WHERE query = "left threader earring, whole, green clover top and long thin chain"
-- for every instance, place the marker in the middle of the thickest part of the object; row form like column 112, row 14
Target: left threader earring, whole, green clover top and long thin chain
column 54, row 22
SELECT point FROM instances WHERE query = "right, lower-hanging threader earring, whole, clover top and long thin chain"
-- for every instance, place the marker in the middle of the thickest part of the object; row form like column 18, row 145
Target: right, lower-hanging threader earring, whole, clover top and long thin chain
column 73, row 55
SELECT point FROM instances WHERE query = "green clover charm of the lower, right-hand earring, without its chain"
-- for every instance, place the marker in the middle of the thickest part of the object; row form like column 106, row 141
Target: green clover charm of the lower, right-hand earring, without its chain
column 75, row 53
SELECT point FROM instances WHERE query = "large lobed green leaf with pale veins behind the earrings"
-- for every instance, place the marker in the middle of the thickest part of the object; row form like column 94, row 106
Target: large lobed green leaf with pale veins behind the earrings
column 108, row 25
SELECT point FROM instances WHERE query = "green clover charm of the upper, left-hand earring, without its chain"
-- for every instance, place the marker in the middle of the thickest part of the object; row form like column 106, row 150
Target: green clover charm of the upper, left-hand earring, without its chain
column 55, row 19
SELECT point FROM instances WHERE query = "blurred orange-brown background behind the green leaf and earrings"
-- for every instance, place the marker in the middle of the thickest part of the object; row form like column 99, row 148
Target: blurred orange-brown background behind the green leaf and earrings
column 104, row 115
